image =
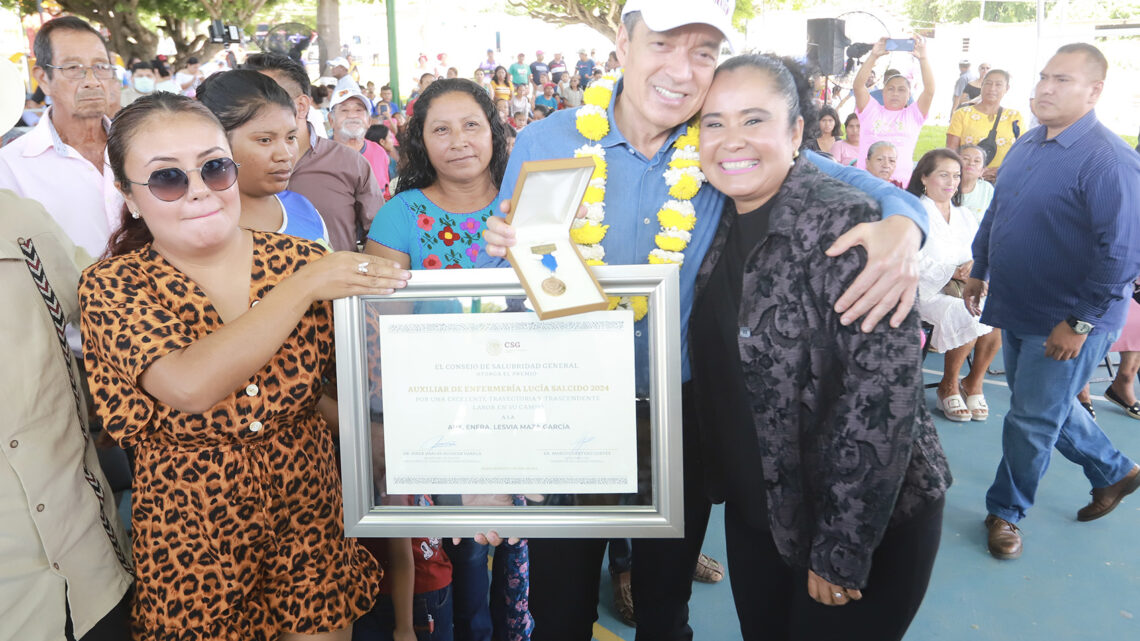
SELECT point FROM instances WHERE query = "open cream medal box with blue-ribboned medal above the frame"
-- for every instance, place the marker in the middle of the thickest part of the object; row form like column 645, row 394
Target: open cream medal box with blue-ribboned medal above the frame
column 544, row 206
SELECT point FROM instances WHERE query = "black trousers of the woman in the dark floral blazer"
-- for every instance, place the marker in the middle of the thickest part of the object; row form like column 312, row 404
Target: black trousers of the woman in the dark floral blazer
column 772, row 598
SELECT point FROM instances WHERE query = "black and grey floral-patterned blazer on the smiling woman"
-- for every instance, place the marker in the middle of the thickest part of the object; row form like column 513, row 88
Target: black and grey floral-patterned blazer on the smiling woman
column 848, row 445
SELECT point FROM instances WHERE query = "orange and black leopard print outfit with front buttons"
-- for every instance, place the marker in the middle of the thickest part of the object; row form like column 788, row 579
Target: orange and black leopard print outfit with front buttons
column 237, row 512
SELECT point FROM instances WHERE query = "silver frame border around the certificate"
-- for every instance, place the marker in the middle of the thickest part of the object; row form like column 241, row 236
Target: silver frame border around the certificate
column 661, row 517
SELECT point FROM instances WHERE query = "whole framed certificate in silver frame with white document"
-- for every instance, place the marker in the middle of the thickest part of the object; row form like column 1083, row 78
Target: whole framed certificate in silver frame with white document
column 462, row 412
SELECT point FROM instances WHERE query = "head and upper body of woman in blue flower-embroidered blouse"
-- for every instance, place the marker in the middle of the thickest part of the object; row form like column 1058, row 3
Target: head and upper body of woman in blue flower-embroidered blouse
column 455, row 153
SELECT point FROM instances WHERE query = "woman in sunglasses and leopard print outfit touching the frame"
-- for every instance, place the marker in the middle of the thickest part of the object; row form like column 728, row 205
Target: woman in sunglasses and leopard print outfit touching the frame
column 209, row 350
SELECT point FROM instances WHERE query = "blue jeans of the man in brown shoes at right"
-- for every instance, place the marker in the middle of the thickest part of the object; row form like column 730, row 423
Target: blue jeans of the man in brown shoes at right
column 1045, row 415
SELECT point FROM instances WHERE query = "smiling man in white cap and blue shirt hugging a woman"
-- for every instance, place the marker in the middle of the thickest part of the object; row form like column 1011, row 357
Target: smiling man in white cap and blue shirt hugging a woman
column 670, row 51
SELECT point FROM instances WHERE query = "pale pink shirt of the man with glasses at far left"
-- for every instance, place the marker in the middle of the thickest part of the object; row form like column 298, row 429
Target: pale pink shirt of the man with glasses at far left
column 82, row 199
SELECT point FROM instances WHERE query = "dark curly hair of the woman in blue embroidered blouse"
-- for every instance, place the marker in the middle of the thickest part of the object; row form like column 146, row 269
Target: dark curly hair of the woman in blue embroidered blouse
column 417, row 172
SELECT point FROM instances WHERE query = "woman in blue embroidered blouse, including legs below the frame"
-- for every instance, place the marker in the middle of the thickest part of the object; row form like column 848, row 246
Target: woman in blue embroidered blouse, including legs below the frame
column 454, row 153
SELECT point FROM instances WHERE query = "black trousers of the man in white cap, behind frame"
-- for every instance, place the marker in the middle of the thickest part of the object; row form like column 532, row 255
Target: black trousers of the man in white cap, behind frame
column 565, row 573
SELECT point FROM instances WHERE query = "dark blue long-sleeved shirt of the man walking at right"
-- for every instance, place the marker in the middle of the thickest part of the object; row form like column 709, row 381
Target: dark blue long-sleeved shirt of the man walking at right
column 1062, row 237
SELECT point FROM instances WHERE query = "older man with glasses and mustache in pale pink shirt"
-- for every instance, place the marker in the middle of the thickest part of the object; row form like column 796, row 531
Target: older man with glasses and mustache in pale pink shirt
column 62, row 161
